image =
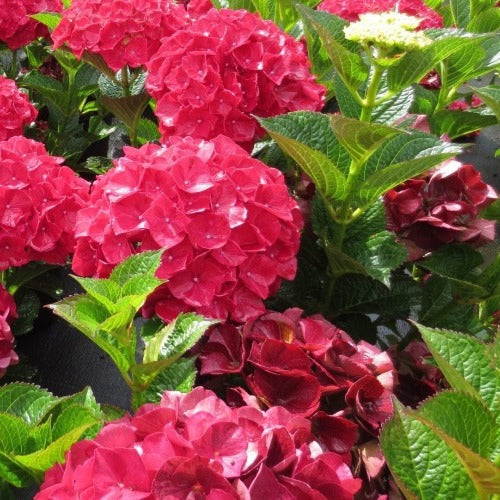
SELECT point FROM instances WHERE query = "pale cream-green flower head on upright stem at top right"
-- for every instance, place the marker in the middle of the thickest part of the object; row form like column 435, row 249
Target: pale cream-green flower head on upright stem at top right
column 389, row 31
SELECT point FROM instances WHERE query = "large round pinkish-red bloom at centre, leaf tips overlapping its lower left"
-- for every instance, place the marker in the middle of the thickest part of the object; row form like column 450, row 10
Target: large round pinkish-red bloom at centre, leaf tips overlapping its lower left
column 228, row 223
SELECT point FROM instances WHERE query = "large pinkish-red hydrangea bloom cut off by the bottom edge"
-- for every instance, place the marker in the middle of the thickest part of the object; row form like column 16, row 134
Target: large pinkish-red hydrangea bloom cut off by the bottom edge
column 195, row 446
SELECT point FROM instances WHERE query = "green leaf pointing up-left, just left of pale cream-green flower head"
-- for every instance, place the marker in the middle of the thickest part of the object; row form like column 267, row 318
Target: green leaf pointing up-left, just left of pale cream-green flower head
column 348, row 64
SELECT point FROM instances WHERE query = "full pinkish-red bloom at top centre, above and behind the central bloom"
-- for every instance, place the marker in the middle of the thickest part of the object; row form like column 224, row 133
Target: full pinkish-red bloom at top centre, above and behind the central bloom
column 209, row 77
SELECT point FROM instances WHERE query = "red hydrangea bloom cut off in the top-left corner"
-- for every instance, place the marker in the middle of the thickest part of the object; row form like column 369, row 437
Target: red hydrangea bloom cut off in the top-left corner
column 16, row 27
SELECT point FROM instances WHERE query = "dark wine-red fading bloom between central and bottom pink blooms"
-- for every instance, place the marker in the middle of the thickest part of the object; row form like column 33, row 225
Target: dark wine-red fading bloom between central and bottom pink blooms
column 292, row 361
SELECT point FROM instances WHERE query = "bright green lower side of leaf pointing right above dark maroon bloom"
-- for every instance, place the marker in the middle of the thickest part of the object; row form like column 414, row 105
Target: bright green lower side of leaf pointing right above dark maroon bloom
column 384, row 180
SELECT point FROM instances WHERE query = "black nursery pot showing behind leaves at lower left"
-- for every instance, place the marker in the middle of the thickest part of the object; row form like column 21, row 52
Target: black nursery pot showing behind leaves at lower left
column 67, row 361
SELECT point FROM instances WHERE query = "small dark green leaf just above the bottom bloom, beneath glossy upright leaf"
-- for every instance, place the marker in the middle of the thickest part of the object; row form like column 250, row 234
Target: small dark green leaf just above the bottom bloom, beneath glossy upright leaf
column 179, row 376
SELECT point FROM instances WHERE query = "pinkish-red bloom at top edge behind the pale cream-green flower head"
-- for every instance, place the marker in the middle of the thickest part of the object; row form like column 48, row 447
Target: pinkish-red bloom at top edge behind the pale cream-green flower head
column 351, row 9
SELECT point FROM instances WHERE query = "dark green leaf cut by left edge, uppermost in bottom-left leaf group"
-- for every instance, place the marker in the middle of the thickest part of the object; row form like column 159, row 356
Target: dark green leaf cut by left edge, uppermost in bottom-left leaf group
column 26, row 401
